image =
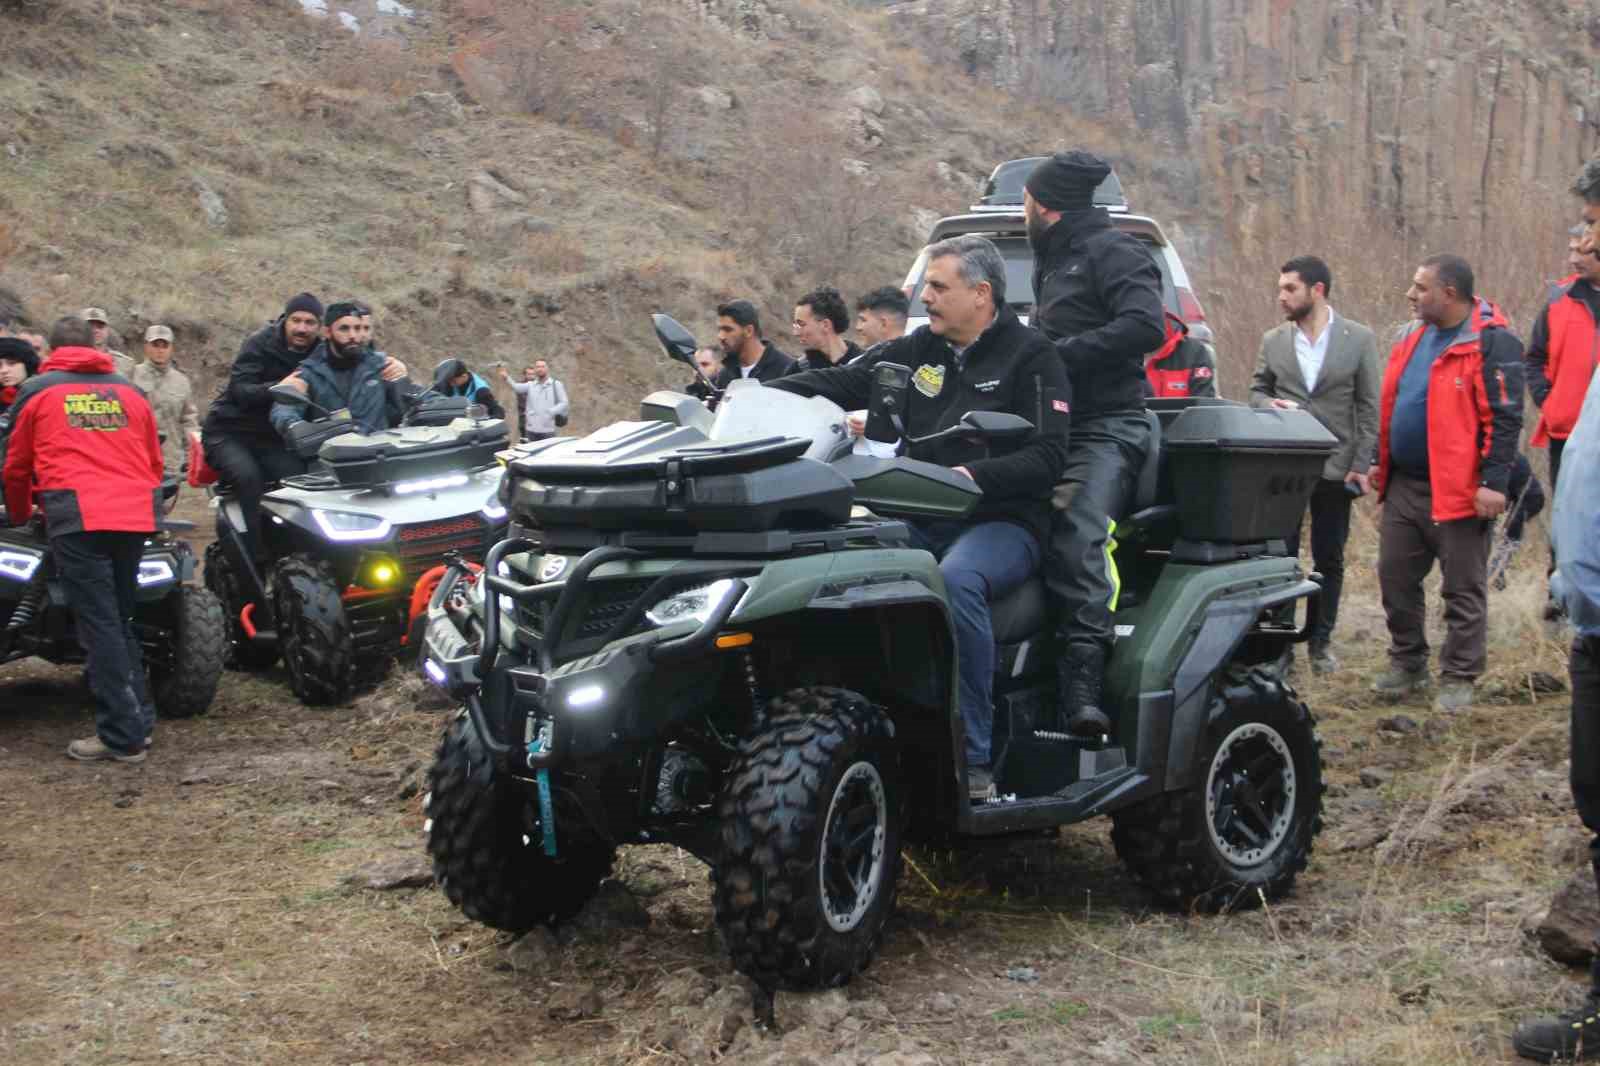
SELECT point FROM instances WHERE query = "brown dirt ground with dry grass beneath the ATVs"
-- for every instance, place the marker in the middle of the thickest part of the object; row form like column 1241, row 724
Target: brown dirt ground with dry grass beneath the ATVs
column 212, row 907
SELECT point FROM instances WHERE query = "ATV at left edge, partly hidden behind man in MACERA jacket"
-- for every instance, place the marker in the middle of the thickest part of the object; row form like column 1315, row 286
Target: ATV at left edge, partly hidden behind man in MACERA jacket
column 180, row 625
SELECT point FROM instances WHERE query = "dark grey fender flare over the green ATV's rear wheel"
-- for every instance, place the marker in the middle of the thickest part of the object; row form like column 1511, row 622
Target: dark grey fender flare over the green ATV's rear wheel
column 1226, row 623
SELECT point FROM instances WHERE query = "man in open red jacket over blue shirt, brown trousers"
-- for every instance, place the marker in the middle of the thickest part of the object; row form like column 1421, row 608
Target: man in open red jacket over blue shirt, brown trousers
column 1450, row 415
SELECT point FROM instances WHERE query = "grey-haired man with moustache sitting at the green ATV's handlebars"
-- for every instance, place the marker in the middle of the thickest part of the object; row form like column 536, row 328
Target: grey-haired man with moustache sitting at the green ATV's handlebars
column 974, row 356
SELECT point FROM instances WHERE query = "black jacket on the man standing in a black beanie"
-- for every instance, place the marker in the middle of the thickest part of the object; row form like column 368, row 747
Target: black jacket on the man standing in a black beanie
column 1098, row 297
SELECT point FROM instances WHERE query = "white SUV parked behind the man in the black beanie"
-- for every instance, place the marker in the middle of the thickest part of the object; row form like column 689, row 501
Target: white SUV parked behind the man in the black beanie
column 999, row 217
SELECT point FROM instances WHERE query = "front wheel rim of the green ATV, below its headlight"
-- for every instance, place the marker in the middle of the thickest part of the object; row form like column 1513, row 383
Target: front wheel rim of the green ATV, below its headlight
column 852, row 865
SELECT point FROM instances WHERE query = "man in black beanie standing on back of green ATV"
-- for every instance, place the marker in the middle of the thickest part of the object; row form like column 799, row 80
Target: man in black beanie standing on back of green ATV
column 1098, row 299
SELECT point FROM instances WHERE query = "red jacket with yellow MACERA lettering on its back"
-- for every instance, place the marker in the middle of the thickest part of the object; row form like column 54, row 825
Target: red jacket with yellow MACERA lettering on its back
column 82, row 439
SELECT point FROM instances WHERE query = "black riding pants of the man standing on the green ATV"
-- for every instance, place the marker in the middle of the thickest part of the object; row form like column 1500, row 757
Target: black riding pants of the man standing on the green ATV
column 1095, row 492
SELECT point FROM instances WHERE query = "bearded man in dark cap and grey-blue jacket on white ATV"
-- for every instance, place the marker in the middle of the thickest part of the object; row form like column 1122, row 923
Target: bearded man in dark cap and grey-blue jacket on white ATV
column 343, row 375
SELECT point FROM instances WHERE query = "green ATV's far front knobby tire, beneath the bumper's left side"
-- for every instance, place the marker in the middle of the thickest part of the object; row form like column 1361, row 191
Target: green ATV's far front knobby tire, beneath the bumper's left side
column 487, row 844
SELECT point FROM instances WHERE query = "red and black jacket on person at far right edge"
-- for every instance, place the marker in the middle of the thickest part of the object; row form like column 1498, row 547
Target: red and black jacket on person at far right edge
column 1562, row 356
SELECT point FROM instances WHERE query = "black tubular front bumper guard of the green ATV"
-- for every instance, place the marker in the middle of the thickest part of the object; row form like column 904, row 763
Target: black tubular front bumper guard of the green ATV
column 452, row 663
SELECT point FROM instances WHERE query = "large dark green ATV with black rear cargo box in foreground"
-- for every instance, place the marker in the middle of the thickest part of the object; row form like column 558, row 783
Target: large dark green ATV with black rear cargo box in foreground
column 710, row 631
